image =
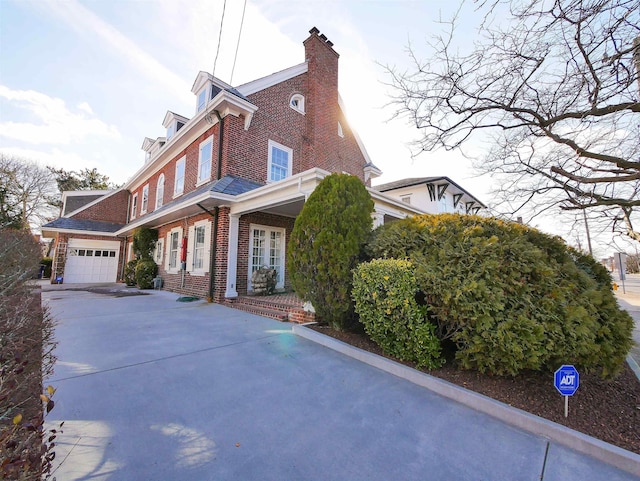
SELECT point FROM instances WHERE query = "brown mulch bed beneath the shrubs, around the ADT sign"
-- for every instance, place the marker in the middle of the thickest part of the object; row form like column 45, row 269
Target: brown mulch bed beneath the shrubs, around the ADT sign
column 607, row 410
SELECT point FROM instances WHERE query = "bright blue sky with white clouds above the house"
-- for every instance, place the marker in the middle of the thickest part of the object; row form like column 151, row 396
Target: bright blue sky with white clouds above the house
column 82, row 83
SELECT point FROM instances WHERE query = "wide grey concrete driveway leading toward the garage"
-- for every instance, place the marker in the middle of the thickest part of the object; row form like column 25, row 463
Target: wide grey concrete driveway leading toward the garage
column 154, row 389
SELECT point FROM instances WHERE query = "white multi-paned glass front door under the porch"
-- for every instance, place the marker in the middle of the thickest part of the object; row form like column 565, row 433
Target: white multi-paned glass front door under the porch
column 266, row 248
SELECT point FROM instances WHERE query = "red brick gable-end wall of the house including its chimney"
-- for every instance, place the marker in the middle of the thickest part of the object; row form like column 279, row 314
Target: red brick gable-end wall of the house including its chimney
column 313, row 136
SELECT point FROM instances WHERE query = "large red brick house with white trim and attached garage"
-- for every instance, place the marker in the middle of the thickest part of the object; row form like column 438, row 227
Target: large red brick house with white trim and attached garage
column 223, row 187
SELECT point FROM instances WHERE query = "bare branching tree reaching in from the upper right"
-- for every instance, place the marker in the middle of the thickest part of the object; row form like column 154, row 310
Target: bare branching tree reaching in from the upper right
column 554, row 87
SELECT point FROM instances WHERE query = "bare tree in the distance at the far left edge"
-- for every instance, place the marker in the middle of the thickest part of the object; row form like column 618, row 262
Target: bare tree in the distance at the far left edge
column 26, row 191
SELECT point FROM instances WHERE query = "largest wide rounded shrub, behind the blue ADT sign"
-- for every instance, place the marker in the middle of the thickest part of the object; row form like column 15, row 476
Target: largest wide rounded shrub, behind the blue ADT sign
column 510, row 297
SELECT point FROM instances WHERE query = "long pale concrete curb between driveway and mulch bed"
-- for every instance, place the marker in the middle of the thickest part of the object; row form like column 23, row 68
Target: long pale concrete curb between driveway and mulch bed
column 592, row 447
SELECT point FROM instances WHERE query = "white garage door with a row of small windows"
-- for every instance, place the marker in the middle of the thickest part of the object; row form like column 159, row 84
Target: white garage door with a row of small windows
column 91, row 261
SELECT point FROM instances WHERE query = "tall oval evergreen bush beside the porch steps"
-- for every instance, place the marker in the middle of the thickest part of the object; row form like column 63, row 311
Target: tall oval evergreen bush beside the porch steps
column 325, row 245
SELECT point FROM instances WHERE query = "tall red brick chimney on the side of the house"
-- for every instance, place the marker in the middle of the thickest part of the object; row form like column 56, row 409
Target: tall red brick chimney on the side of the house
column 321, row 103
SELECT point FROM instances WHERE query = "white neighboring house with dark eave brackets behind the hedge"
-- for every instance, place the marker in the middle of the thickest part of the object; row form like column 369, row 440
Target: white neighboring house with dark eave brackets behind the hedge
column 434, row 195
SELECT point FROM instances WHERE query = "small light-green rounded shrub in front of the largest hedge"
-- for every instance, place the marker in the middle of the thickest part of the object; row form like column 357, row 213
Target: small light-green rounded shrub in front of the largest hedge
column 384, row 292
